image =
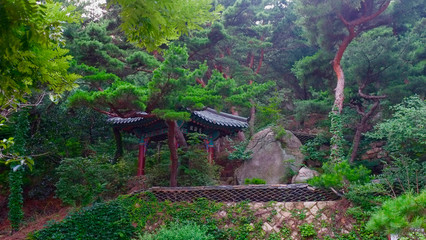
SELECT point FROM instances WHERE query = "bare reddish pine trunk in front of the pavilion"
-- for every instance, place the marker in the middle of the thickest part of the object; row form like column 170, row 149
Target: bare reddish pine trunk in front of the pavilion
column 171, row 140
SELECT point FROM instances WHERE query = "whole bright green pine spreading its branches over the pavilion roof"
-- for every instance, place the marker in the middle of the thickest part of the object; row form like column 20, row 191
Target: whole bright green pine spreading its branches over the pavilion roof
column 171, row 90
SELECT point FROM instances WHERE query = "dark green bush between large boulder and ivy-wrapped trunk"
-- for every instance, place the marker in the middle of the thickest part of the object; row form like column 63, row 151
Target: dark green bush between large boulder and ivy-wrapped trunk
column 312, row 149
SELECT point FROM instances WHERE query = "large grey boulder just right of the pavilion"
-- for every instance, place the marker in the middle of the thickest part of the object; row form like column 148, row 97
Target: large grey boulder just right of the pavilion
column 274, row 160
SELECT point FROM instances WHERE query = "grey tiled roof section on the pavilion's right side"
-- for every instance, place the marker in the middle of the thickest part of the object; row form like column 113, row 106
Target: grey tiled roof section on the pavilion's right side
column 222, row 119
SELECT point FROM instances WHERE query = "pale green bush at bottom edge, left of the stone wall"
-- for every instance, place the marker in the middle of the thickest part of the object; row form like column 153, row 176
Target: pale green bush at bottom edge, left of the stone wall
column 179, row 231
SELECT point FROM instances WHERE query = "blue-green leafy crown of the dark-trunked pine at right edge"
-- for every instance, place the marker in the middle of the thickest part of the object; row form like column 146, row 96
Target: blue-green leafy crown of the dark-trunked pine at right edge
column 377, row 56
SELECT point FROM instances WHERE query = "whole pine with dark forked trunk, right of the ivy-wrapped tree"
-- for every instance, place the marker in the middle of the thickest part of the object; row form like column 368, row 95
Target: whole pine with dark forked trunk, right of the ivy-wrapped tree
column 382, row 64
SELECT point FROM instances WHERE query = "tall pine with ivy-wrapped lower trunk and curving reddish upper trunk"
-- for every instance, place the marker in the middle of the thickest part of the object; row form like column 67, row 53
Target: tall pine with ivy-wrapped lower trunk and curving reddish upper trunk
column 334, row 22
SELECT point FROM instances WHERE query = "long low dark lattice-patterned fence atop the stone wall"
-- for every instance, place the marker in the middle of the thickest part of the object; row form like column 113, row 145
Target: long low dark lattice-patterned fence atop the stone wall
column 252, row 193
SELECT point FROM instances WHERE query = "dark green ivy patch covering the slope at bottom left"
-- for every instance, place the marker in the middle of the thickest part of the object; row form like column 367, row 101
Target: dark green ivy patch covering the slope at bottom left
column 108, row 220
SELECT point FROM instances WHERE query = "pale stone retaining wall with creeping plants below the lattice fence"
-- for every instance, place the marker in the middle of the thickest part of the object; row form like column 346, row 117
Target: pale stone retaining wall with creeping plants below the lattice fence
column 284, row 219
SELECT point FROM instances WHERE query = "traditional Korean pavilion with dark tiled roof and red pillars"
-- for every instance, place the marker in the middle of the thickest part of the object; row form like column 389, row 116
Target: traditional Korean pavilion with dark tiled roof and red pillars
column 208, row 121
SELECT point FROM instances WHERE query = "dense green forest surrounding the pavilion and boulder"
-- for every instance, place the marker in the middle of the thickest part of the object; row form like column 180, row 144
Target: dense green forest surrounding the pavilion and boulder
column 63, row 75
